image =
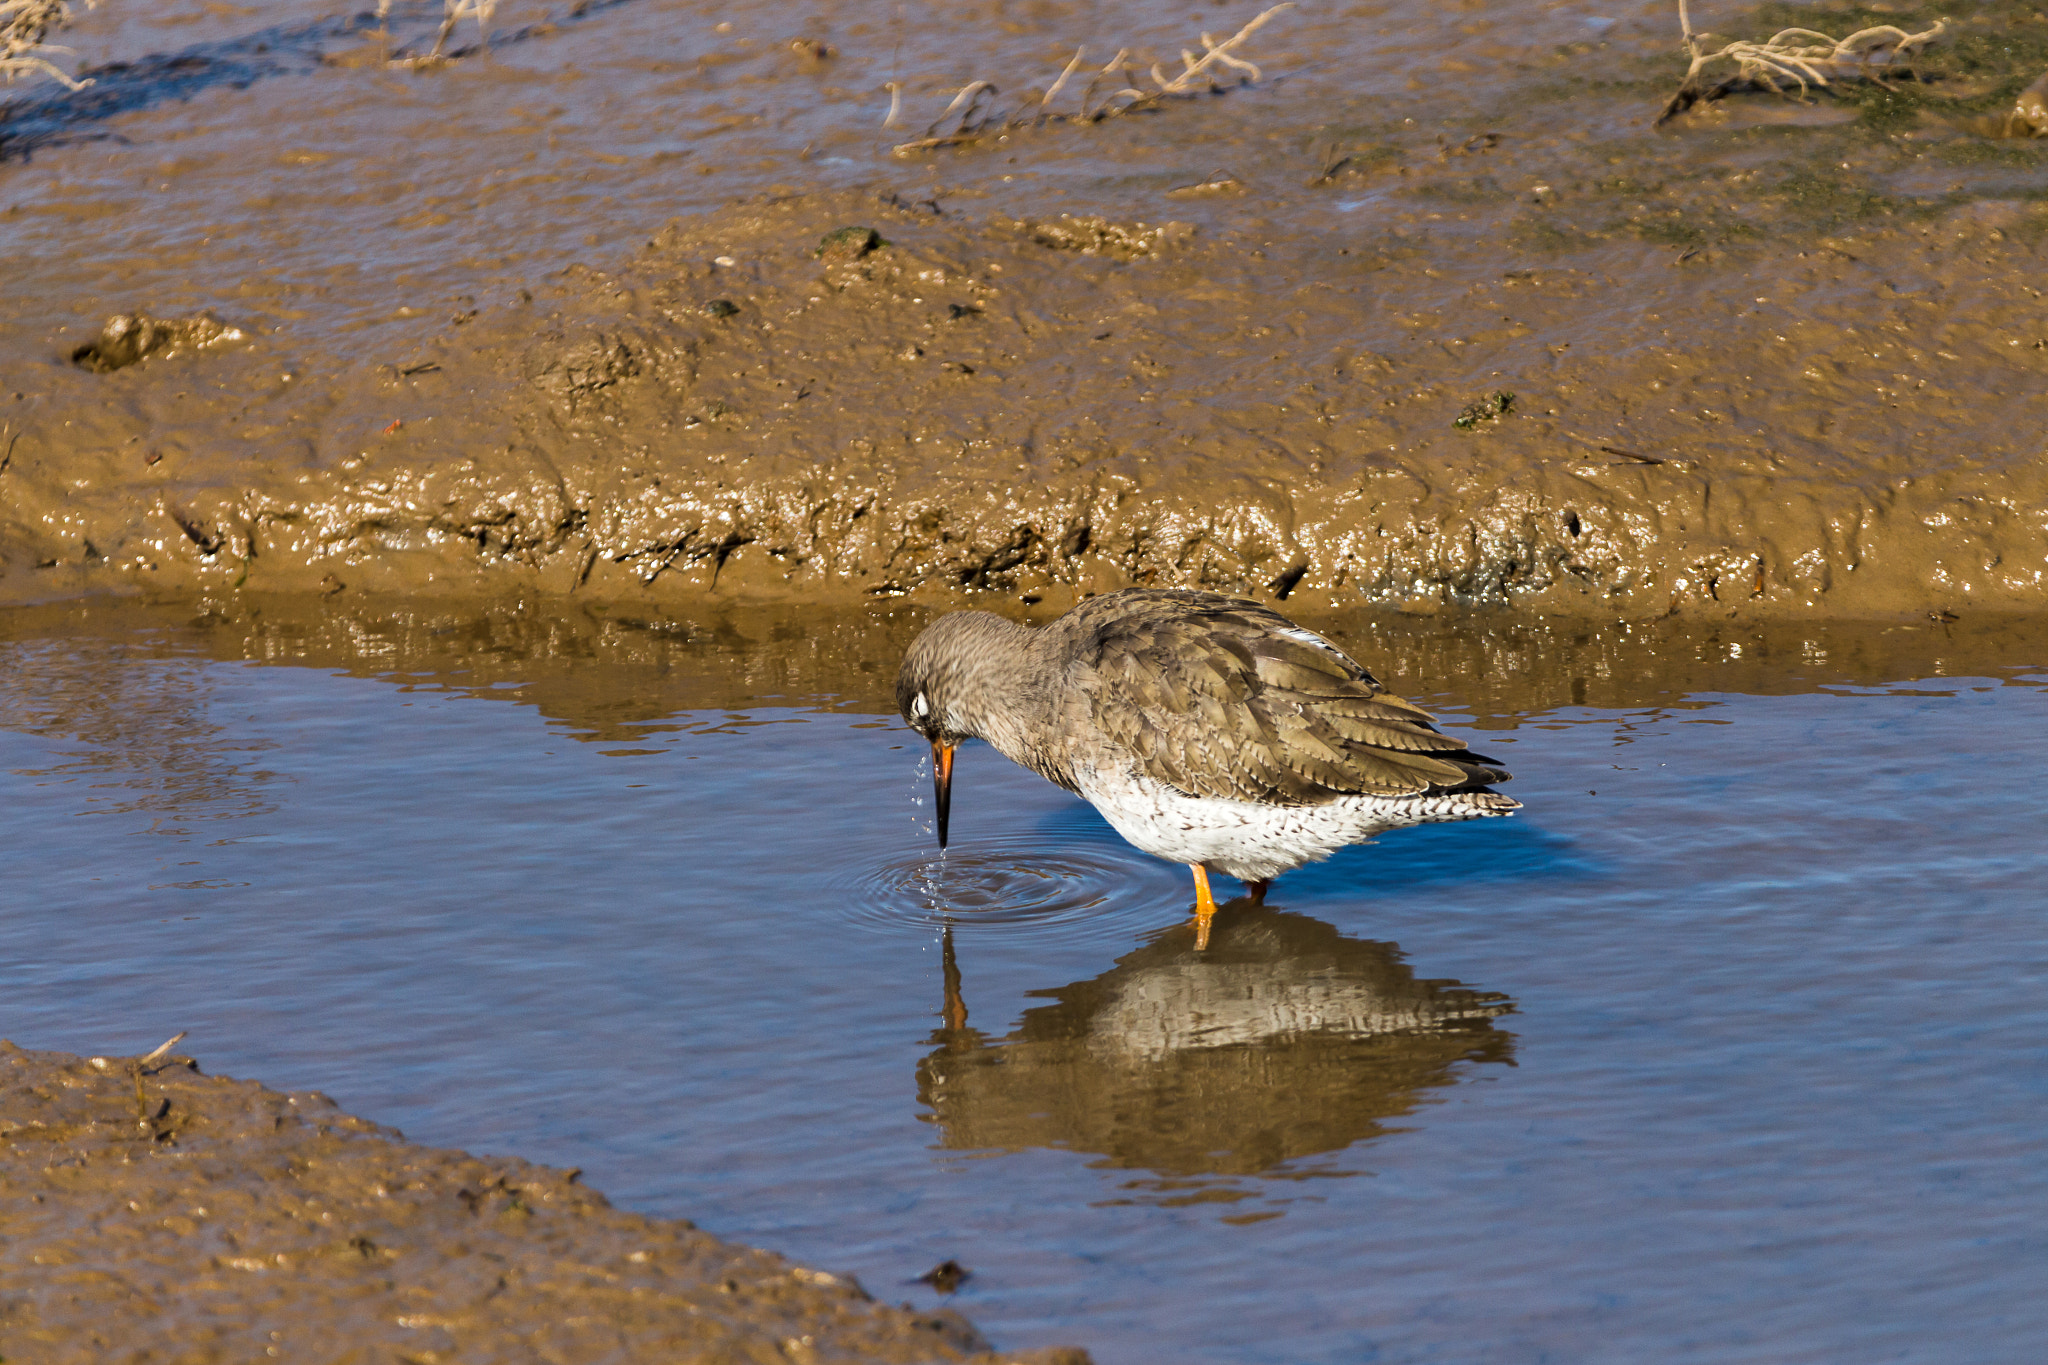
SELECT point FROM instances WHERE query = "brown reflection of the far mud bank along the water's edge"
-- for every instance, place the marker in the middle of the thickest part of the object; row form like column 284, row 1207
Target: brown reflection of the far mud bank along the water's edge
column 613, row 676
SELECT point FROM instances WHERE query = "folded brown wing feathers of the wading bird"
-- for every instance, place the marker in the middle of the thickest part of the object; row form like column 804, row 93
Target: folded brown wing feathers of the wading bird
column 1220, row 697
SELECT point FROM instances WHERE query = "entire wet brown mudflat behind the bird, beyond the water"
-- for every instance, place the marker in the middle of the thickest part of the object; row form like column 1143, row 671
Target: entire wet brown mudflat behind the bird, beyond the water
column 1428, row 314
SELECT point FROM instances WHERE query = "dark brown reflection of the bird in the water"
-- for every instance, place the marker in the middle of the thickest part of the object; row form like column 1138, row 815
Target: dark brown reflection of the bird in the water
column 1283, row 1041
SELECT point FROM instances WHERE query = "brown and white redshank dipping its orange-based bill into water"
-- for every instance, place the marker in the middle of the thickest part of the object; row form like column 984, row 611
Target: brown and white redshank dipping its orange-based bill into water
column 1205, row 730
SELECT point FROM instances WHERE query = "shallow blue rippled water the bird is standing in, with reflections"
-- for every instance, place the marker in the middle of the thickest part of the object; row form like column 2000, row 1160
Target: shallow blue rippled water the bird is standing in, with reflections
column 1727, row 1049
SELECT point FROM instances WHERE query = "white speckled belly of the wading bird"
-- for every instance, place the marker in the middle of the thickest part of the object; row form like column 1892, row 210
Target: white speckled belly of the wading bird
column 1254, row 842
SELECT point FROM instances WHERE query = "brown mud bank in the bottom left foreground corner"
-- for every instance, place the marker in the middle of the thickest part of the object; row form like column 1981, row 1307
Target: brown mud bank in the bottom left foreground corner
column 157, row 1215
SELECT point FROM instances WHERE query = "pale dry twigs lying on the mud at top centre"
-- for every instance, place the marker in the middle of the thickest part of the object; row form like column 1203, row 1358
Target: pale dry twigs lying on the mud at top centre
column 976, row 109
